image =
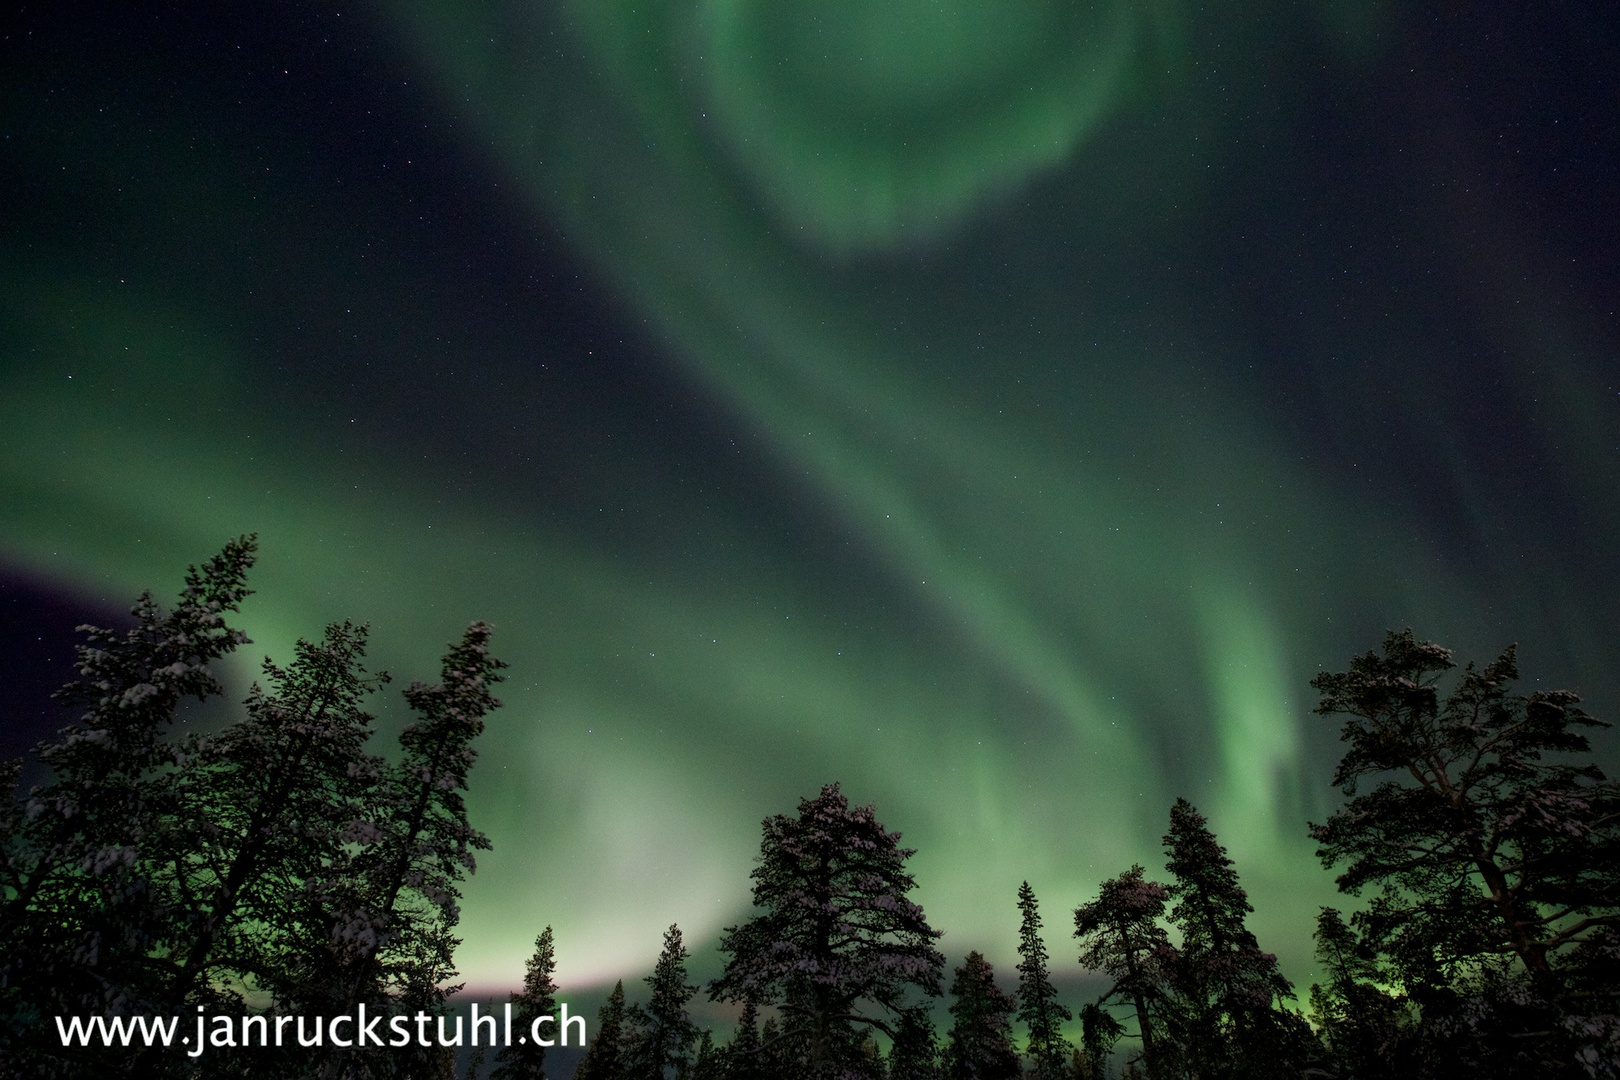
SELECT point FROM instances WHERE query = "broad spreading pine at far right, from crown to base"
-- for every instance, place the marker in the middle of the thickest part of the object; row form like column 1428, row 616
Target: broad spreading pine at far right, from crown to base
column 1494, row 843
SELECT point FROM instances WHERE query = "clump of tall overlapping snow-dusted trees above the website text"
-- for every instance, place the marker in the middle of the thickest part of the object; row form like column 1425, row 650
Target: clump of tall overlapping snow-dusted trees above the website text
column 271, row 857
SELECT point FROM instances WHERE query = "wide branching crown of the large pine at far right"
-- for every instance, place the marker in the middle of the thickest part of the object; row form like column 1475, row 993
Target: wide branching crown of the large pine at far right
column 1472, row 809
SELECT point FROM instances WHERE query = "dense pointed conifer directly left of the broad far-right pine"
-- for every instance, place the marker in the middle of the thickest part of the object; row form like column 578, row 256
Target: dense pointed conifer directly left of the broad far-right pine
column 1229, row 1021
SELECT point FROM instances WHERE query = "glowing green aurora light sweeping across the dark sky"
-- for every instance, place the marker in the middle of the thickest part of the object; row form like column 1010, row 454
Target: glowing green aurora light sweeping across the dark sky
column 1085, row 572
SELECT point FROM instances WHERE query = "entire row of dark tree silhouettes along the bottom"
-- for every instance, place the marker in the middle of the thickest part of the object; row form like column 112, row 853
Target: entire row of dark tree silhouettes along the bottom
column 278, row 865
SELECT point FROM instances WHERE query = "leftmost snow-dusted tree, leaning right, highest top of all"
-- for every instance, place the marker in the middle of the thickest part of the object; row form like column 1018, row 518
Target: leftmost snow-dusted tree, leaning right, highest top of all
column 80, row 916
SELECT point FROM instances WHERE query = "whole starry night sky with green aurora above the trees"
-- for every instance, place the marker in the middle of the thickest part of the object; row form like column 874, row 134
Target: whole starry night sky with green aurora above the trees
column 1004, row 410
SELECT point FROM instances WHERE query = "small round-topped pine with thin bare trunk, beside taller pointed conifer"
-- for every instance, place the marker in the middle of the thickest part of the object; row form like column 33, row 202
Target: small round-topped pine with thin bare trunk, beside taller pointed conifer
column 1122, row 937
